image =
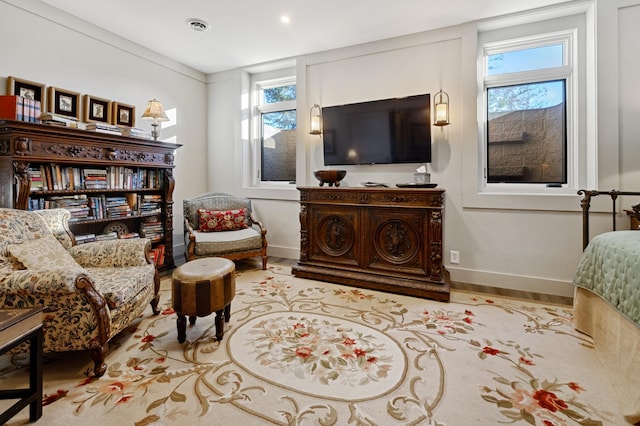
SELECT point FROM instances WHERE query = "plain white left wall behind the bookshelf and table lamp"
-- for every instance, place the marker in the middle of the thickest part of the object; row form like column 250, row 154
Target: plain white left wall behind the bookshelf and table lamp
column 44, row 45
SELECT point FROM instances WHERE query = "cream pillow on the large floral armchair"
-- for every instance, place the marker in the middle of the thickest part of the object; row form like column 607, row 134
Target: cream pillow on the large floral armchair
column 43, row 253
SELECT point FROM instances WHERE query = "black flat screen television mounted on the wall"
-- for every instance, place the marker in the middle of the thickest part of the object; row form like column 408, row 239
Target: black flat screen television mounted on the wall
column 386, row 131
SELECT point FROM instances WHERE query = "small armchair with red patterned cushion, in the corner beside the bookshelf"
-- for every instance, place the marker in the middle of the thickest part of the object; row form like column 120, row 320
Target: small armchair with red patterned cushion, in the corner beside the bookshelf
column 222, row 225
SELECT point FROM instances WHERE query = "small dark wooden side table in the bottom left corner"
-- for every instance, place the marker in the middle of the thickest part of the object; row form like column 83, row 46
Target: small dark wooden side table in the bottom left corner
column 16, row 327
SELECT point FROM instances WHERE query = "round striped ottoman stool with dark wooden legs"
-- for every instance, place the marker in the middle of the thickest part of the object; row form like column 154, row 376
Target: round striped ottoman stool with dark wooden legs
column 201, row 287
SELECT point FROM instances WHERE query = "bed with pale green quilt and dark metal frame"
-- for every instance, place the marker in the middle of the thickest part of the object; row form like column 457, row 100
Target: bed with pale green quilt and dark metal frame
column 607, row 300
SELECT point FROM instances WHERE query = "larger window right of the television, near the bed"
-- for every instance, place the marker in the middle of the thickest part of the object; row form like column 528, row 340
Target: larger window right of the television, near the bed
column 527, row 138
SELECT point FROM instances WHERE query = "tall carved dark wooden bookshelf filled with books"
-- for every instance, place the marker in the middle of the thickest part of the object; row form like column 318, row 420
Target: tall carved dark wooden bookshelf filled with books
column 42, row 164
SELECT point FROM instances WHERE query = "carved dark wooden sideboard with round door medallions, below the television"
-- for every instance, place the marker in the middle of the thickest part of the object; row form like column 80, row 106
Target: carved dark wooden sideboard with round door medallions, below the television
column 387, row 239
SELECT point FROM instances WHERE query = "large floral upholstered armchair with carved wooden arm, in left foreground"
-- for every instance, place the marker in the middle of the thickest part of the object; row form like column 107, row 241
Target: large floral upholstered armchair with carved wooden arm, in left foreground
column 91, row 291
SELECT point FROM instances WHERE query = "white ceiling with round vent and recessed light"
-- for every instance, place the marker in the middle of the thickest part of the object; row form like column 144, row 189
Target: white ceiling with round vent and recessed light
column 249, row 32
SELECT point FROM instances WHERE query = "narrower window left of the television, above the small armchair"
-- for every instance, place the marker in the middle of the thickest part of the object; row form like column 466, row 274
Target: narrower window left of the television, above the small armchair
column 275, row 135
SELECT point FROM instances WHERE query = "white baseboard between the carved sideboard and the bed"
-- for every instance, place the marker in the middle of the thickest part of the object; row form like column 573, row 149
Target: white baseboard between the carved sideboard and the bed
column 512, row 282
